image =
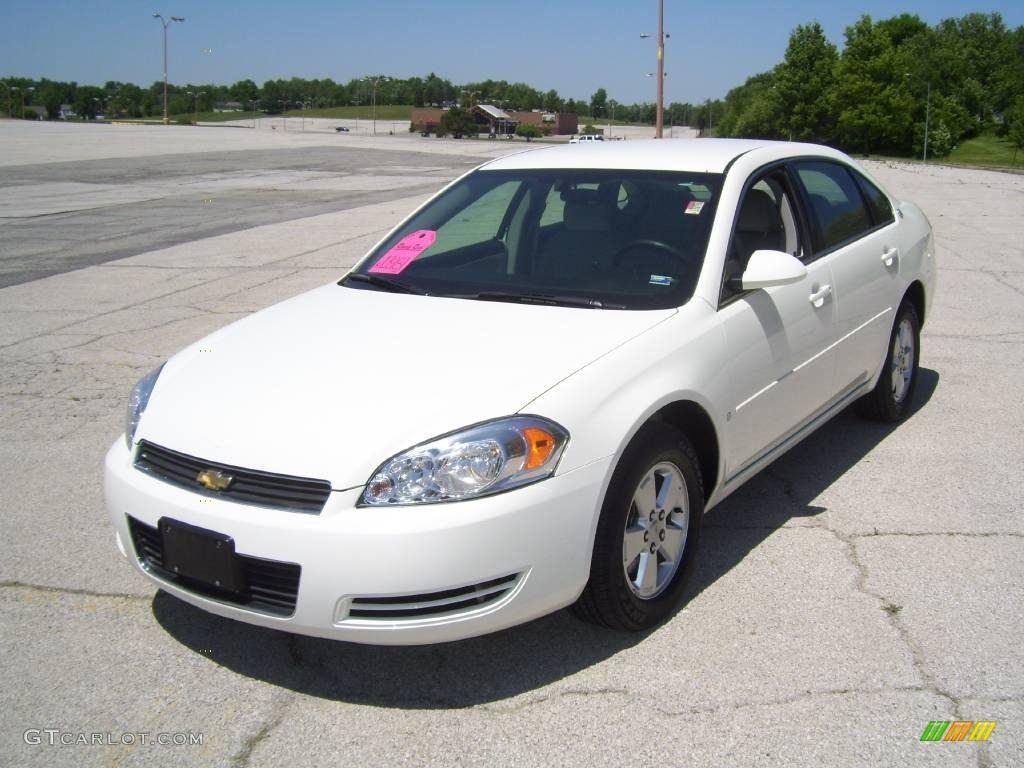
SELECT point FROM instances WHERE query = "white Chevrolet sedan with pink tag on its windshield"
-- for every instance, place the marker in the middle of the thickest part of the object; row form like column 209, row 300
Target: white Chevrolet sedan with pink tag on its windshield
column 526, row 397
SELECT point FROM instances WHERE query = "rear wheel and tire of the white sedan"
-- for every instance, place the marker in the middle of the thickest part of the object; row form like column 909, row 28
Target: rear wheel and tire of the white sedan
column 892, row 398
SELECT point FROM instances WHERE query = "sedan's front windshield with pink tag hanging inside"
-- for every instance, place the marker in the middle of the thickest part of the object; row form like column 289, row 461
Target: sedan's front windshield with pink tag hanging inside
column 621, row 240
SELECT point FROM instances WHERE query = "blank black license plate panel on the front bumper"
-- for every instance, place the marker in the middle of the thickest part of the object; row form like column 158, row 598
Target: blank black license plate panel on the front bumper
column 202, row 556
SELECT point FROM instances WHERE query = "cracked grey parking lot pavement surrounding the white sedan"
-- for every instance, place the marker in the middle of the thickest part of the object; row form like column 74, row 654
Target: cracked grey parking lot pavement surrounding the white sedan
column 870, row 582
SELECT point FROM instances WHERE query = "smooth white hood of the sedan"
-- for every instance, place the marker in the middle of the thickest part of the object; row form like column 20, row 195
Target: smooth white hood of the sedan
column 332, row 383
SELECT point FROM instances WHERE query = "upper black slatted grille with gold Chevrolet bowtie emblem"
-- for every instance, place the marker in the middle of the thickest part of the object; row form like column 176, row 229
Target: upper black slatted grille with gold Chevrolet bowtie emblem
column 248, row 486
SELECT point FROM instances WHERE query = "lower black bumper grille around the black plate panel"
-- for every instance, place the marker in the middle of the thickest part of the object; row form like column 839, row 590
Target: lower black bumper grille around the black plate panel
column 272, row 587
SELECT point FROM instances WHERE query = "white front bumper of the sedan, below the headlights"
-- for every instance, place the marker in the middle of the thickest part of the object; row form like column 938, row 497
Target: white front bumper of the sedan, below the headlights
column 389, row 576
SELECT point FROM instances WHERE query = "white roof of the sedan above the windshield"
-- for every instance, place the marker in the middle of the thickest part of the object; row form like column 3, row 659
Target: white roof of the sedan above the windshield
column 697, row 155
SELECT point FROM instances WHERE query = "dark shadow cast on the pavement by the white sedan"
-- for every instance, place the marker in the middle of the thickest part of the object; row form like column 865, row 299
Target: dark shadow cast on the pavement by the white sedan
column 524, row 659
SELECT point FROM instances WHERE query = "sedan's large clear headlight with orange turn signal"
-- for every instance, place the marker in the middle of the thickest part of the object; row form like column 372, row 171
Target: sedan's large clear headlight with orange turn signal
column 486, row 459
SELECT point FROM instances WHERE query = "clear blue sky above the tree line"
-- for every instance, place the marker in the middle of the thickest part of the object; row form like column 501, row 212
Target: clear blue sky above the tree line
column 575, row 47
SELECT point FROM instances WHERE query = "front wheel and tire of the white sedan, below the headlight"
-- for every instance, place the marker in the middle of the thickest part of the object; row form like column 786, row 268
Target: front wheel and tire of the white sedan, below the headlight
column 618, row 595
